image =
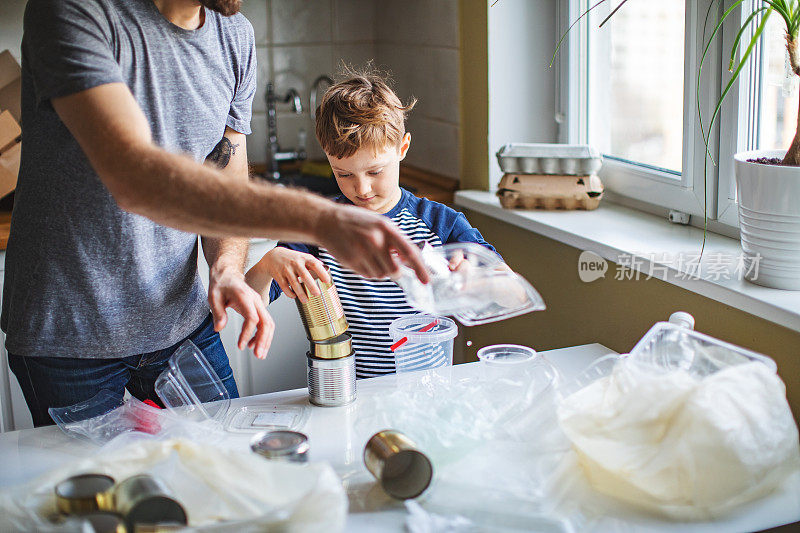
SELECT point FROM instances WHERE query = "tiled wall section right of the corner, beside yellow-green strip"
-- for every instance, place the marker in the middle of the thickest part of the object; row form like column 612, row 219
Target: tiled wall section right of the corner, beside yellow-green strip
column 418, row 41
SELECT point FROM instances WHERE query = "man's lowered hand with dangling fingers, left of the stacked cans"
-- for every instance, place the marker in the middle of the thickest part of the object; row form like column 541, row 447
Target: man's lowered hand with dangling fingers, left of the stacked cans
column 227, row 288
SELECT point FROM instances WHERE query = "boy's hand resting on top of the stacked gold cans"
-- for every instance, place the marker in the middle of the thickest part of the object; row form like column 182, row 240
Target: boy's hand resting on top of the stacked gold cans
column 290, row 268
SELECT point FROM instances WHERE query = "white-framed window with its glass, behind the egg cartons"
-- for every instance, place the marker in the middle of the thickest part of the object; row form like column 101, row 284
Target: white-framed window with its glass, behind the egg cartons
column 630, row 88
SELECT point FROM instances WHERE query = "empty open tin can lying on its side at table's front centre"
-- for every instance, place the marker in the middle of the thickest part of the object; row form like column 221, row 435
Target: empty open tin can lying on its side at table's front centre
column 403, row 471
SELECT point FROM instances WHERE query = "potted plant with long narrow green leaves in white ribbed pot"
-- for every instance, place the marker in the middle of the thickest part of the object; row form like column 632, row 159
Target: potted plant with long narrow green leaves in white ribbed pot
column 767, row 181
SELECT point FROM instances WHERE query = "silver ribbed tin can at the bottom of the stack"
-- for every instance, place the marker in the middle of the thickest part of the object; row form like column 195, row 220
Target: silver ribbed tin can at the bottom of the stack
column 331, row 382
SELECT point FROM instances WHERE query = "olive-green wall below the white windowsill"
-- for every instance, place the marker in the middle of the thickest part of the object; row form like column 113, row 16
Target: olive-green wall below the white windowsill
column 612, row 312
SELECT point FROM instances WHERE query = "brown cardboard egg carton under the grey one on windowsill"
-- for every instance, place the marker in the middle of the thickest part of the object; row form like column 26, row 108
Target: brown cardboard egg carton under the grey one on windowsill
column 526, row 191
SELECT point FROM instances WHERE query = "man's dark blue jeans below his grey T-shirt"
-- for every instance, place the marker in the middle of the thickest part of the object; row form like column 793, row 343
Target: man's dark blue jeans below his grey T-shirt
column 59, row 381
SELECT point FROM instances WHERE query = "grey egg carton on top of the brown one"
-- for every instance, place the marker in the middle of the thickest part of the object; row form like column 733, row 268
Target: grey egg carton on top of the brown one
column 563, row 159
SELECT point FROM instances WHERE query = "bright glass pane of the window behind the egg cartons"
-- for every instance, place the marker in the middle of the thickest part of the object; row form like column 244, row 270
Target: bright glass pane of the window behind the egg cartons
column 636, row 99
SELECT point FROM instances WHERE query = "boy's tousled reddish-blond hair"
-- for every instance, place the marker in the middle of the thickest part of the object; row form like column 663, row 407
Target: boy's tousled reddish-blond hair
column 360, row 111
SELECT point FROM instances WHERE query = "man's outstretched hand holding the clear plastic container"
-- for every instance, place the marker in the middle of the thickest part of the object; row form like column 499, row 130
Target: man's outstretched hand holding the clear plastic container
column 365, row 241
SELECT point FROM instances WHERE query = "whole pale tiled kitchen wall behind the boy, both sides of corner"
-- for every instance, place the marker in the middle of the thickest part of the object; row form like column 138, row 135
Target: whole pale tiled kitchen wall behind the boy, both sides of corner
column 414, row 39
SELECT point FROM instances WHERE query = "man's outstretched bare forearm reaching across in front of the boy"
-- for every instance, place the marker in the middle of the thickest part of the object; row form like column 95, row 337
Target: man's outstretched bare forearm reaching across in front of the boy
column 175, row 191
